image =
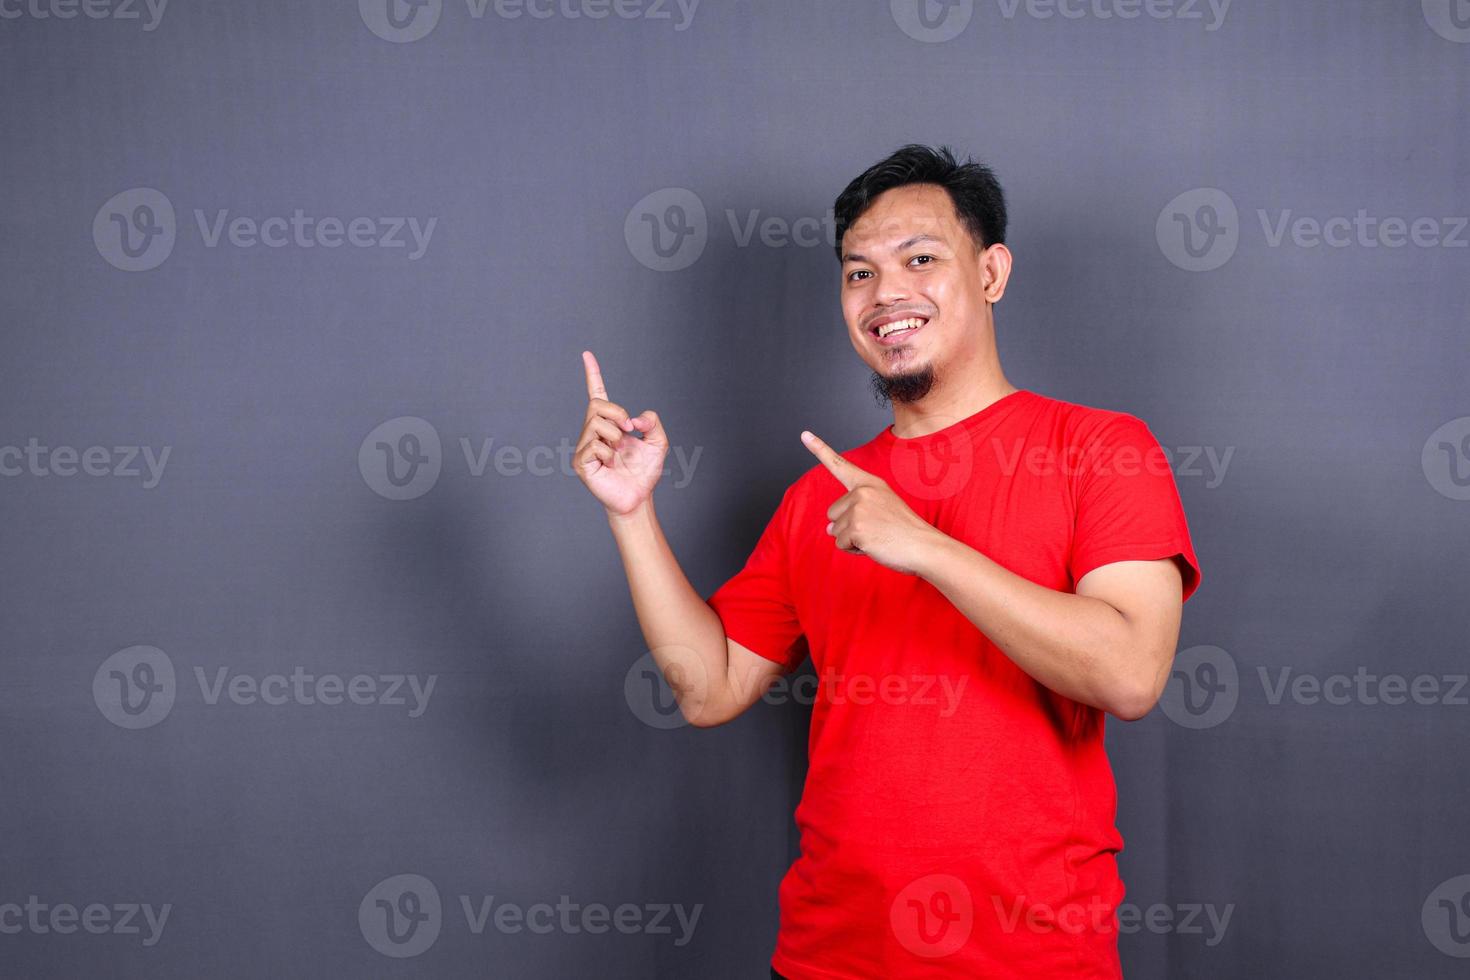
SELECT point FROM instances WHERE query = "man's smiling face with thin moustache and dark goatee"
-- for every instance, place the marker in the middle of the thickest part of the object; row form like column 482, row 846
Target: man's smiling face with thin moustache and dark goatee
column 912, row 289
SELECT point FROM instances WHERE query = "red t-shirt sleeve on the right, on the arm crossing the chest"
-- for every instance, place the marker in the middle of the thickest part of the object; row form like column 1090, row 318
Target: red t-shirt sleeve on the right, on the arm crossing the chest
column 1128, row 506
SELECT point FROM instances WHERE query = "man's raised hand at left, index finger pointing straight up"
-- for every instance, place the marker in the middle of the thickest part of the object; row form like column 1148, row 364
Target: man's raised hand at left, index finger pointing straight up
column 620, row 468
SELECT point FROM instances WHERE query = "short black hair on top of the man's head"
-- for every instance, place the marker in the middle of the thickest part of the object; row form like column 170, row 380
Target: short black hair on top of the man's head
column 972, row 186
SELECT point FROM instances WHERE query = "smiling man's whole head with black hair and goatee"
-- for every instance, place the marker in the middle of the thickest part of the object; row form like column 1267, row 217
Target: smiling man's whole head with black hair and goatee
column 921, row 239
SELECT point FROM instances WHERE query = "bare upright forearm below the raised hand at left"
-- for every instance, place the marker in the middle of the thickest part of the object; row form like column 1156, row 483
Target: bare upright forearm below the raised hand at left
column 681, row 630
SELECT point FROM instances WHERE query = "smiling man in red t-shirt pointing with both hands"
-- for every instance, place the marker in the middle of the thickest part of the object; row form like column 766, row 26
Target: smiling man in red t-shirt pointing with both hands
column 978, row 587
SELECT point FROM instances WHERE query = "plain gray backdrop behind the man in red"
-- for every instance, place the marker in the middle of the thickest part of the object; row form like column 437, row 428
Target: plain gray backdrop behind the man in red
column 293, row 296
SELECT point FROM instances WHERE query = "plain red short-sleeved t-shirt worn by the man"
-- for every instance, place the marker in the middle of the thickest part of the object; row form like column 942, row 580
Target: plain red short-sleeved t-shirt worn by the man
column 958, row 818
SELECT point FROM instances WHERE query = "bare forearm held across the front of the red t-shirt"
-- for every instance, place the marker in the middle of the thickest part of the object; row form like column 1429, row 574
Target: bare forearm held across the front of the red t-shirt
column 1077, row 646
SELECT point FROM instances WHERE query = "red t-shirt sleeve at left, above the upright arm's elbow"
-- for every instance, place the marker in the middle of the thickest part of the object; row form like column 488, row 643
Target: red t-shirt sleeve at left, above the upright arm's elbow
column 756, row 605
